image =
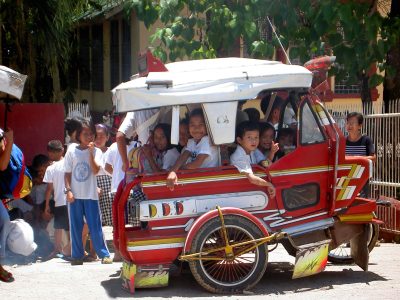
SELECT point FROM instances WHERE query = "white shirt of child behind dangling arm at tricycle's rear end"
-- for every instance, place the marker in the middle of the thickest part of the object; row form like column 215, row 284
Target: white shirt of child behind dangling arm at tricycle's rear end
column 113, row 158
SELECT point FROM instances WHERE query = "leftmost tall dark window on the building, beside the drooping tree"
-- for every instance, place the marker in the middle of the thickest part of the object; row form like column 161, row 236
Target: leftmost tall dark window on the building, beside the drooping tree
column 84, row 58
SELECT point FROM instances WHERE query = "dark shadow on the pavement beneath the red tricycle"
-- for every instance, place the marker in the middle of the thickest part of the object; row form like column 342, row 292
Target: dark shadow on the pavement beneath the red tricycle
column 276, row 281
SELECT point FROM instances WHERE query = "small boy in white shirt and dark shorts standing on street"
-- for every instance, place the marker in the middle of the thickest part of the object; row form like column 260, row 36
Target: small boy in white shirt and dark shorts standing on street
column 54, row 177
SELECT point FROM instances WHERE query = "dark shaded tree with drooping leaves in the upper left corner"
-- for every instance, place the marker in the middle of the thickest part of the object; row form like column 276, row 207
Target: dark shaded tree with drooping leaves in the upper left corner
column 37, row 42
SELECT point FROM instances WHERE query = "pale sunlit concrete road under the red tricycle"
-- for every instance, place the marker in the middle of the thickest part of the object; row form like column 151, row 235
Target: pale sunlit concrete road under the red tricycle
column 57, row 279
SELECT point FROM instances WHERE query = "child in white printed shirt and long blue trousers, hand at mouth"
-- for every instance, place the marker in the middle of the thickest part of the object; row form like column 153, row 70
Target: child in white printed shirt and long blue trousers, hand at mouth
column 81, row 165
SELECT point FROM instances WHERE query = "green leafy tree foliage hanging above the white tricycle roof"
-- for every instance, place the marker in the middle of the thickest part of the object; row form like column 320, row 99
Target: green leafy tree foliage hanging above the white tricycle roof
column 352, row 30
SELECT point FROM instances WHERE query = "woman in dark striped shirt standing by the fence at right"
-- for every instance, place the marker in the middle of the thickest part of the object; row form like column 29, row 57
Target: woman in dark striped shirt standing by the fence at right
column 358, row 144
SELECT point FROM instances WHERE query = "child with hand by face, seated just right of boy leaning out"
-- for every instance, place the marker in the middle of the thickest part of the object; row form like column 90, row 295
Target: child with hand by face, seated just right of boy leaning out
column 267, row 147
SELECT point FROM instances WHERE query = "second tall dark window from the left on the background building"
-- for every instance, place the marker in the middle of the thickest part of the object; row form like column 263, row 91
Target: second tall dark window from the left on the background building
column 97, row 58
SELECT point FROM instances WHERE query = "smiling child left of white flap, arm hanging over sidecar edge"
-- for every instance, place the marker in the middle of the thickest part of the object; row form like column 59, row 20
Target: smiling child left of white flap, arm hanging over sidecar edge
column 199, row 152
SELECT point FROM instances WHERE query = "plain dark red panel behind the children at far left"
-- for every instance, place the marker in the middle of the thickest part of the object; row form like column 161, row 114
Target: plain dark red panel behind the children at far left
column 34, row 124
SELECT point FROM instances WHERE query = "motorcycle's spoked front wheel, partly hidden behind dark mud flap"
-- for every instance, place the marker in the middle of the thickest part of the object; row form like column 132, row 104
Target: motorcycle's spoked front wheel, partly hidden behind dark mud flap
column 342, row 254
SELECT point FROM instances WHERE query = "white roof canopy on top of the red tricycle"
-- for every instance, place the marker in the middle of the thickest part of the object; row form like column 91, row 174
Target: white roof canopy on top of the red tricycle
column 208, row 80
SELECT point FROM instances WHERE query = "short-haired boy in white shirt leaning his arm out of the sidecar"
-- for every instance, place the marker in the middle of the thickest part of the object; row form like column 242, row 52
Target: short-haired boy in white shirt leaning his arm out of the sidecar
column 247, row 137
